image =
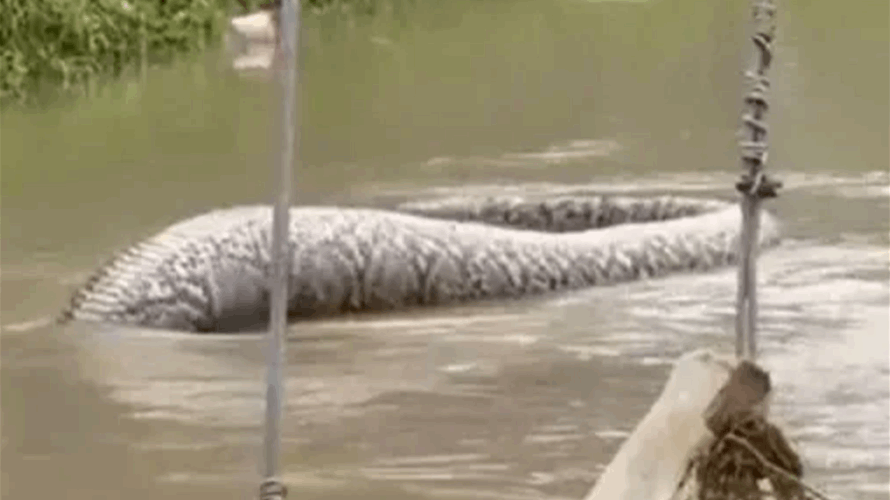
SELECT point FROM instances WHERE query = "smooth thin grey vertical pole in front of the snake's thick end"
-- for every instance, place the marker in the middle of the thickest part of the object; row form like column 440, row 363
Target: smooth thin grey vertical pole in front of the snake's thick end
column 285, row 66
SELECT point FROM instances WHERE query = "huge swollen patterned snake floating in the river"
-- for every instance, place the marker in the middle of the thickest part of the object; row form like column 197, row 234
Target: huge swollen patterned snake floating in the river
column 208, row 273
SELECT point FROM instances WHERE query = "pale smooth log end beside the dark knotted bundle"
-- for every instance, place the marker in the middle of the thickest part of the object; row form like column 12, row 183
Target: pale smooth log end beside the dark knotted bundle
column 653, row 459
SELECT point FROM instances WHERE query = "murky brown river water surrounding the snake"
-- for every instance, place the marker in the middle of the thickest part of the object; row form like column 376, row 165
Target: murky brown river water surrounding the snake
column 524, row 399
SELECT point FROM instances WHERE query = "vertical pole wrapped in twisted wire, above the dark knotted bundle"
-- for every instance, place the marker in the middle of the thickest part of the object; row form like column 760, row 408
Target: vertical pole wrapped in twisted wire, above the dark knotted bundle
column 754, row 185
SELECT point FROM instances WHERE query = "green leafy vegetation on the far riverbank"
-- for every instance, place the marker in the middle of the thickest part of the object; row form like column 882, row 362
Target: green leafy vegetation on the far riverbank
column 68, row 45
